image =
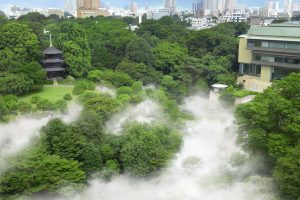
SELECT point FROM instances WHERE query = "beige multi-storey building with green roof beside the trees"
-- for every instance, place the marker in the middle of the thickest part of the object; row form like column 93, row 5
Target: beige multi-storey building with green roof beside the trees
column 268, row 53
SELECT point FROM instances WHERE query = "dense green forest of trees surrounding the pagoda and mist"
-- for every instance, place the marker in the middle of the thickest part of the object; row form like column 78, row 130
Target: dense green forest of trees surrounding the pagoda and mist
column 162, row 53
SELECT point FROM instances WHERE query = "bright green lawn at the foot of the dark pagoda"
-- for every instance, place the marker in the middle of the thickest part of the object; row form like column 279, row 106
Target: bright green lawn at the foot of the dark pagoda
column 50, row 92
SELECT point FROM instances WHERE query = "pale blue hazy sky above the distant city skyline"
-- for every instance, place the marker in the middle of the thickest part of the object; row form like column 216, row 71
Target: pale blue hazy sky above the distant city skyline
column 4, row 4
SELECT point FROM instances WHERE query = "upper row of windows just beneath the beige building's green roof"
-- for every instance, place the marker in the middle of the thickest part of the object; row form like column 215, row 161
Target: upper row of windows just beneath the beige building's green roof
column 275, row 45
